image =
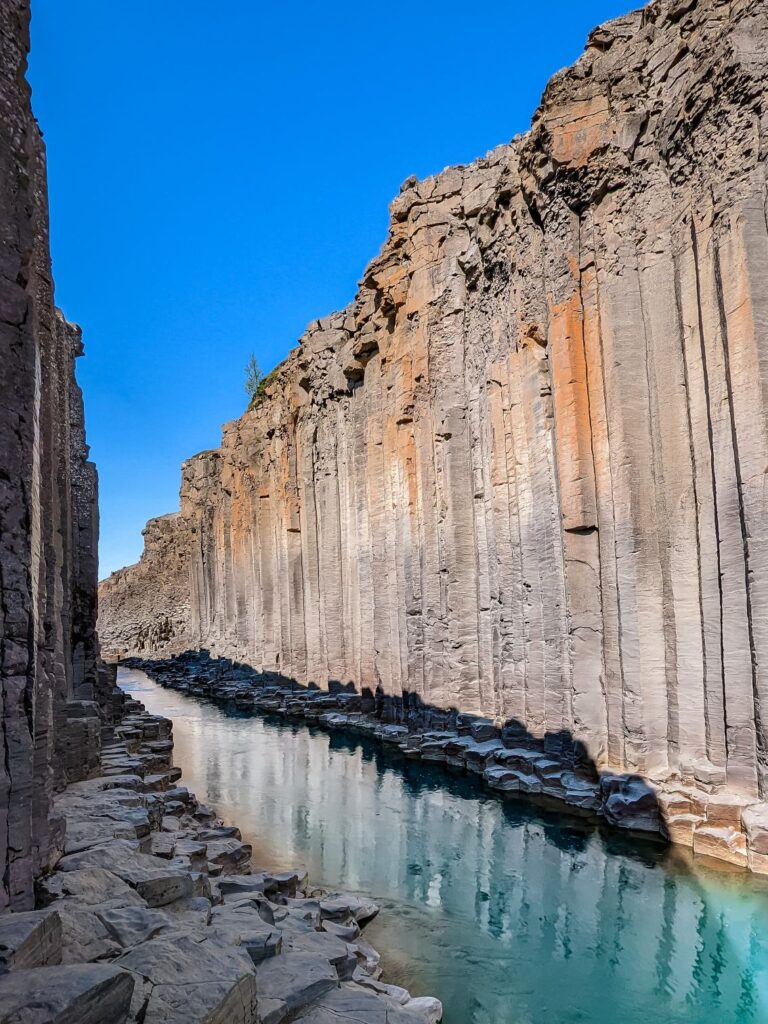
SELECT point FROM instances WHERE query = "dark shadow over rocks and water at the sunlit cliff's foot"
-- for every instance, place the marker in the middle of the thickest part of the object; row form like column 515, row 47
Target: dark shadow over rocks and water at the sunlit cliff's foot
column 432, row 747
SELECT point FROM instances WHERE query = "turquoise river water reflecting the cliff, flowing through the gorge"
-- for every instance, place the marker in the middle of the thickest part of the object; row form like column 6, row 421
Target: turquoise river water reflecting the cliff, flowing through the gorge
column 509, row 915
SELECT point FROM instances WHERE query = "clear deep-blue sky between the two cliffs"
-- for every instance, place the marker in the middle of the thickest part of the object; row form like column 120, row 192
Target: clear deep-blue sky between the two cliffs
column 220, row 177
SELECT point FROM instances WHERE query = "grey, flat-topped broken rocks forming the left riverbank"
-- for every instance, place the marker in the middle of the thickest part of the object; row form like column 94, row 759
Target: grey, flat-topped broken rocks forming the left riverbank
column 156, row 914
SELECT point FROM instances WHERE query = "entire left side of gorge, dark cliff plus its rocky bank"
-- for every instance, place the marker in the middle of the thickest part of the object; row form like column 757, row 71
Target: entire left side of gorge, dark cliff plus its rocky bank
column 123, row 899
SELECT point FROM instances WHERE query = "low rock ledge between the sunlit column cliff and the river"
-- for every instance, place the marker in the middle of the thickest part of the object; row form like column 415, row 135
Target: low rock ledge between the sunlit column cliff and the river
column 550, row 772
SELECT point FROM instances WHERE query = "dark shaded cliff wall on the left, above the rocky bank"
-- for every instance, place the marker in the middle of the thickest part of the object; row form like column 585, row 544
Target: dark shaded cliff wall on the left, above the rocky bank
column 49, row 517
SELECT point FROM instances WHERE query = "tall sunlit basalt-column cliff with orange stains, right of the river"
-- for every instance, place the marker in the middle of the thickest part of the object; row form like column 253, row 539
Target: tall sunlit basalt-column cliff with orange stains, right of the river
column 524, row 475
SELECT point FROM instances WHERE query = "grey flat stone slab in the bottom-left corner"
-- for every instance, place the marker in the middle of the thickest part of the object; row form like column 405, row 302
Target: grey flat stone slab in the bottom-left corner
column 83, row 994
